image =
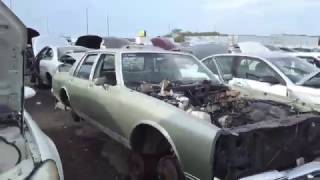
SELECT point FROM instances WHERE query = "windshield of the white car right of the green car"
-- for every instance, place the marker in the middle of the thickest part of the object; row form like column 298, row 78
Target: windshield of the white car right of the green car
column 295, row 69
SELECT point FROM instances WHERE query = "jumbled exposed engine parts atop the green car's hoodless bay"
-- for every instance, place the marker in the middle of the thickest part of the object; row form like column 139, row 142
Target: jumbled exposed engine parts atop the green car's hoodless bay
column 216, row 103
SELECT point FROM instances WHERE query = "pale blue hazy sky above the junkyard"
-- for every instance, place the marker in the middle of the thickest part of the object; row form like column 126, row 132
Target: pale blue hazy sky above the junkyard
column 158, row 17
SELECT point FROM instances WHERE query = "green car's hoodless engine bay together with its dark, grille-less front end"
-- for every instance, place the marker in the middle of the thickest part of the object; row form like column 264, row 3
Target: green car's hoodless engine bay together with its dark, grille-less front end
column 257, row 135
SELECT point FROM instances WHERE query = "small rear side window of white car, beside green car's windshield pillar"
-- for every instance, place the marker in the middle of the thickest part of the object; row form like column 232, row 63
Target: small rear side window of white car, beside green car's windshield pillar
column 226, row 65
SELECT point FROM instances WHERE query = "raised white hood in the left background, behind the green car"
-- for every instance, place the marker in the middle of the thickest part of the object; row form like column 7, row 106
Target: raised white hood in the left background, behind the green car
column 40, row 42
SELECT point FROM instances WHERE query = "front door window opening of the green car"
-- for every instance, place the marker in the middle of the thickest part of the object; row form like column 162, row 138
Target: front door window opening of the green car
column 106, row 69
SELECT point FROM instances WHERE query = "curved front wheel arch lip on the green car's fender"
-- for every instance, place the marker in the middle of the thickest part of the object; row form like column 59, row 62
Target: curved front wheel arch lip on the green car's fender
column 156, row 127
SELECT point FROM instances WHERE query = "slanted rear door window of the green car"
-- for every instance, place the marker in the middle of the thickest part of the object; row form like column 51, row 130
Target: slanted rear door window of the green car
column 85, row 68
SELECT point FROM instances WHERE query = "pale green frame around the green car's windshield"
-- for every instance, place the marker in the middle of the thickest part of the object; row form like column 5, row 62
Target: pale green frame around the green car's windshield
column 214, row 80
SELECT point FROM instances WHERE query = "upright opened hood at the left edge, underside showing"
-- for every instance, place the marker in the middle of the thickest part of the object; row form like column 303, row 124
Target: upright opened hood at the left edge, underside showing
column 13, row 41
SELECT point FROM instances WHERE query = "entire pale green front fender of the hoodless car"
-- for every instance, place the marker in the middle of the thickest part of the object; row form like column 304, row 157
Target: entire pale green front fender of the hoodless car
column 192, row 138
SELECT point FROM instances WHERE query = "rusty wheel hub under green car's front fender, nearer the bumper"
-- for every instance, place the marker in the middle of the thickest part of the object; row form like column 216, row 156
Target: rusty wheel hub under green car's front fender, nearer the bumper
column 169, row 169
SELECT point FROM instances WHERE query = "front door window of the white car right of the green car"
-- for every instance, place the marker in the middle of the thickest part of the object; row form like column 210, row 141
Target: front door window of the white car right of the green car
column 253, row 69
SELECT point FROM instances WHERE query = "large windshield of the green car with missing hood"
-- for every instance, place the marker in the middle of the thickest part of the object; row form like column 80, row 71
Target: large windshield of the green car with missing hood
column 156, row 67
